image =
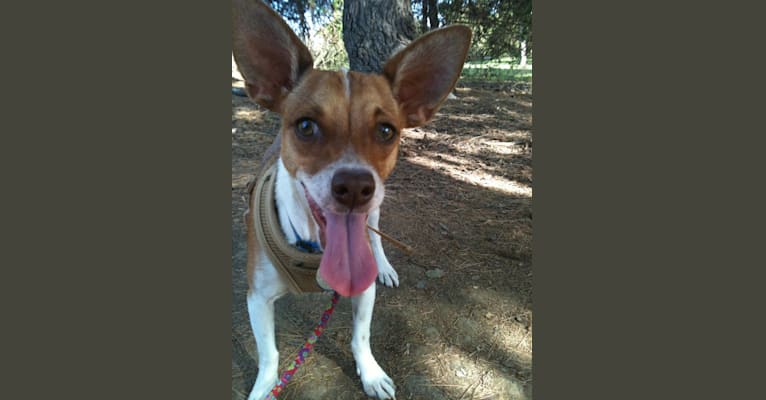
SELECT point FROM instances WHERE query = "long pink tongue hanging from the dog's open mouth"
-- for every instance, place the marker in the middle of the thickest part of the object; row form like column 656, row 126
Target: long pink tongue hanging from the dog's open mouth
column 347, row 264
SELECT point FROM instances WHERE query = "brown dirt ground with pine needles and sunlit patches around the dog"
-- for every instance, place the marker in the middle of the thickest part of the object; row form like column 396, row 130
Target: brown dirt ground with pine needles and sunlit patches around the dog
column 459, row 326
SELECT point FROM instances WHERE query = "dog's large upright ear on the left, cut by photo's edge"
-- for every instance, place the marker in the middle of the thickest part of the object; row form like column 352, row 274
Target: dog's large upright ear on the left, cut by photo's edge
column 269, row 55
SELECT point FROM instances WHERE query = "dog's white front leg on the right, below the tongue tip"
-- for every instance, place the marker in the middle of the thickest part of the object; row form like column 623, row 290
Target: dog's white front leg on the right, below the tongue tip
column 374, row 380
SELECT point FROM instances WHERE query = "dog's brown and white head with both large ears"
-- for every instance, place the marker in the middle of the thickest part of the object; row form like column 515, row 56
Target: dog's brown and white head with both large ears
column 341, row 130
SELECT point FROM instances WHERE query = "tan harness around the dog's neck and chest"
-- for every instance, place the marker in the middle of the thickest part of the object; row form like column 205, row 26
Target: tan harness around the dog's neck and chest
column 298, row 267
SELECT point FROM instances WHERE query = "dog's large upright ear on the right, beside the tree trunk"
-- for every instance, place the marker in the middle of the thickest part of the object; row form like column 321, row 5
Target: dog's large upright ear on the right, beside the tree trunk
column 424, row 73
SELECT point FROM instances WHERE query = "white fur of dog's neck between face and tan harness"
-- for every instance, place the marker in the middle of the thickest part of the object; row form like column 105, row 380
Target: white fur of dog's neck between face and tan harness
column 293, row 208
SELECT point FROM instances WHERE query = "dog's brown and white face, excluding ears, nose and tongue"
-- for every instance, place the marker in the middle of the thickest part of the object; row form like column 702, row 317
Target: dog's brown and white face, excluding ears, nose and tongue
column 337, row 121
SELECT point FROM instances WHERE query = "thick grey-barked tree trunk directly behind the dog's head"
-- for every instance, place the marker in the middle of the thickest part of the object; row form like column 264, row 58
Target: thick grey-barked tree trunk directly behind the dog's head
column 375, row 29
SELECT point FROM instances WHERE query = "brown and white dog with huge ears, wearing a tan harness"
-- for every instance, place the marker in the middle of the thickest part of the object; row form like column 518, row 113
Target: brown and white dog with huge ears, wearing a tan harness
column 322, row 181
